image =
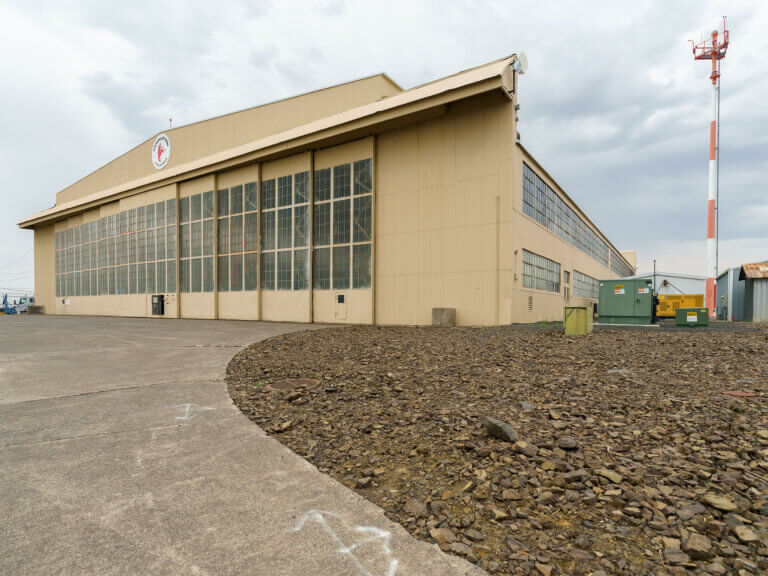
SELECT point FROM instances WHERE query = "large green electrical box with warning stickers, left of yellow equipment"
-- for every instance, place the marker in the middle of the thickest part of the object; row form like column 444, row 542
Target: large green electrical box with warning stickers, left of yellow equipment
column 625, row 301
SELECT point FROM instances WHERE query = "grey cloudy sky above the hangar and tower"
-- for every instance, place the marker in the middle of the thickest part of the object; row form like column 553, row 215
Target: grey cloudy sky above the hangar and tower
column 612, row 104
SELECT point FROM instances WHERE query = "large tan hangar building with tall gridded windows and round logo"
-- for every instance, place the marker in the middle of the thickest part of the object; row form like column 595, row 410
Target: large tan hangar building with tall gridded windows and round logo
column 357, row 203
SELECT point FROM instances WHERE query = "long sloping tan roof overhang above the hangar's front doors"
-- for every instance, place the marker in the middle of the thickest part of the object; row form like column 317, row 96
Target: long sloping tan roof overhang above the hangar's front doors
column 410, row 107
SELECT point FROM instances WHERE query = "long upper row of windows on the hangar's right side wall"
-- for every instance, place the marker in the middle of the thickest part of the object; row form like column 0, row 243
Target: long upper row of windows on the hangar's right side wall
column 545, row 206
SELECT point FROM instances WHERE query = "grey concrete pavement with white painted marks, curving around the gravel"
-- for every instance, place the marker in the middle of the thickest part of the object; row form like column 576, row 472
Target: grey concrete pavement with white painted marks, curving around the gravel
column 122, row 453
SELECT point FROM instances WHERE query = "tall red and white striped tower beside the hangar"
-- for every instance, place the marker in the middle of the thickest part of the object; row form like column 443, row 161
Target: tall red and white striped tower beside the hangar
column 713, row 50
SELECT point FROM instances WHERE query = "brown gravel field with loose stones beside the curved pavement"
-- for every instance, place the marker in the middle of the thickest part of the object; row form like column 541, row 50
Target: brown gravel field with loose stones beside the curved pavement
column 622, row 452
